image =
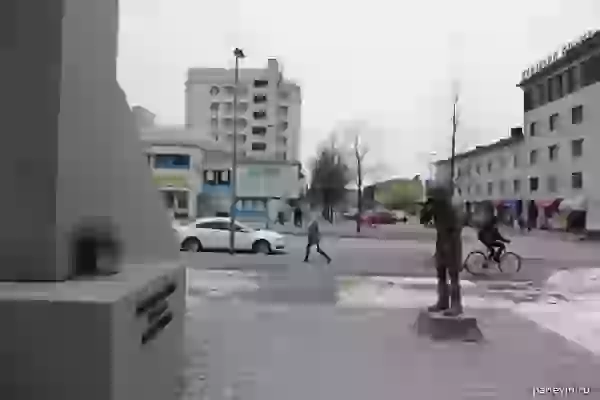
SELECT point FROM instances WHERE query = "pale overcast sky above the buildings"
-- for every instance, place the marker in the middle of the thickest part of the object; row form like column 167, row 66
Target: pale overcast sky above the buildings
column 390, row 63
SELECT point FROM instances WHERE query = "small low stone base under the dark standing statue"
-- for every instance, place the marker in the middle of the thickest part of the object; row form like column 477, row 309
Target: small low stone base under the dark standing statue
column 440, row 327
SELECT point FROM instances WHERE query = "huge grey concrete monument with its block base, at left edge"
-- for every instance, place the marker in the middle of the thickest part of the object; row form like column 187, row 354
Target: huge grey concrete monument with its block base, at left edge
column 91, row 292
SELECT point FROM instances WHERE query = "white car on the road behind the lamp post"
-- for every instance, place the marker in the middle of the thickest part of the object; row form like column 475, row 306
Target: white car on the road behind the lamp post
column 213, row 234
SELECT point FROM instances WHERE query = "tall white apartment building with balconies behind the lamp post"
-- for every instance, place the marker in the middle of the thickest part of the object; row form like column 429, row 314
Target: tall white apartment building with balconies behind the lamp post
column 268, row 111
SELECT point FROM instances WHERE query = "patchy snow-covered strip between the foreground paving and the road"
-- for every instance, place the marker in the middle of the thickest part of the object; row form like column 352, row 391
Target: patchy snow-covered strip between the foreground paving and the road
column 577, row 321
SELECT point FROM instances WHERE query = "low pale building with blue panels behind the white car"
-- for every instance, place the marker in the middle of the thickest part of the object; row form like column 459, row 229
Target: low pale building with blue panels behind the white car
column 194, row 176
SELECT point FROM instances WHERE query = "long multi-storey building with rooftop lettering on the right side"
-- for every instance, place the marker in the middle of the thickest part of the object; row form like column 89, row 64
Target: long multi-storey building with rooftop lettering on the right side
column 554, row 158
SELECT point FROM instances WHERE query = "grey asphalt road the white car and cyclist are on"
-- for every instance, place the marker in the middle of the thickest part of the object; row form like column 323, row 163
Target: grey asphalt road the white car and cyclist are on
column 409, row 257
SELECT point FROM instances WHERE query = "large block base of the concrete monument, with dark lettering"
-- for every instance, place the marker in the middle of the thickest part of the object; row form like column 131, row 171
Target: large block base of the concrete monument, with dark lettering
column 114, row 337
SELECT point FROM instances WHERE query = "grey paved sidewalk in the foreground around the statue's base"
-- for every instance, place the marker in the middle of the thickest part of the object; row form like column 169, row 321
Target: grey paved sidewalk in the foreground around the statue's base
column 272, row 352
